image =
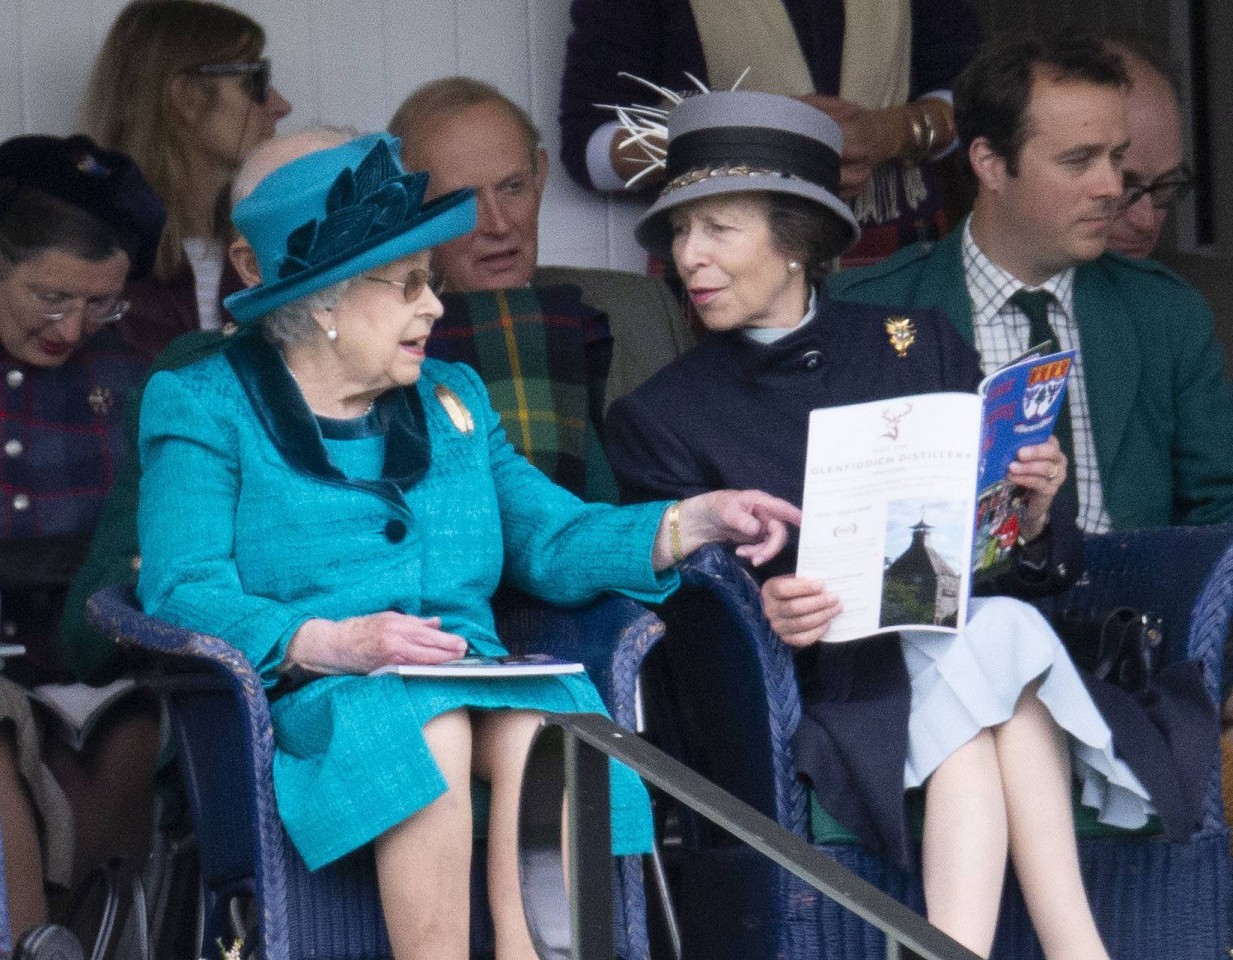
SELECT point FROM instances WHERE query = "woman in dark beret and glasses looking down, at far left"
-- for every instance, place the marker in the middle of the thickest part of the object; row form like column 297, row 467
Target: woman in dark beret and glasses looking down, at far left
column 76, row 224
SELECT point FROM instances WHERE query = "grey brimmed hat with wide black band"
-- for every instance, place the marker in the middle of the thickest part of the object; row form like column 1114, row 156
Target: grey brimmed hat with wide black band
column 739, row 141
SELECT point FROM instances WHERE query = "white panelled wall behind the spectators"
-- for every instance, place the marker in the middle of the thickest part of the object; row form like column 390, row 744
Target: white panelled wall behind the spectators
column 348, row 62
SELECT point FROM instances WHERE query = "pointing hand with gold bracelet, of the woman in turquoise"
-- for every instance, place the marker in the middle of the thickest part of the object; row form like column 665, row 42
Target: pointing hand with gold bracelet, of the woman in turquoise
column 755, row 521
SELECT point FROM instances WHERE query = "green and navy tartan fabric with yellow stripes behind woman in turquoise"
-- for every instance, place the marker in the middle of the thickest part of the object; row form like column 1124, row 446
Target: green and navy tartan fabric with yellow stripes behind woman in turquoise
column 544, row 357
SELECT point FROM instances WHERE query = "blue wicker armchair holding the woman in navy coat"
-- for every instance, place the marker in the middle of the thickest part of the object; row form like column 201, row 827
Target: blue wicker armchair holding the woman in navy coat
column 722, row 696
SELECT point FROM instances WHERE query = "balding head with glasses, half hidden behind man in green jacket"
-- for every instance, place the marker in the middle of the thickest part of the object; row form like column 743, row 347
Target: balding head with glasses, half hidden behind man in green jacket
column 1153, row 174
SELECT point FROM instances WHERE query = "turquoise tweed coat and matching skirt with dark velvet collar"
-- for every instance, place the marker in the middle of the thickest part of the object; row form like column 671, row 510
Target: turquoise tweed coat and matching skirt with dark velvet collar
column 247, row 531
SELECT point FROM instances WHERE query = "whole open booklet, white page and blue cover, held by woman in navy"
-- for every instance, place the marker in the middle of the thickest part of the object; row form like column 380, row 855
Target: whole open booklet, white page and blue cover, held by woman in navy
column 908, row 498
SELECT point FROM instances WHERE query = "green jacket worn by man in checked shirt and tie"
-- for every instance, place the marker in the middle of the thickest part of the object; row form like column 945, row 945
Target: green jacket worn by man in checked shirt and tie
column 1162, row 405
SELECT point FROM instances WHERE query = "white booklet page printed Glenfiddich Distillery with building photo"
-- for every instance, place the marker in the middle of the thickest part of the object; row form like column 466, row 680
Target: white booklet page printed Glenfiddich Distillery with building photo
column 886, row 482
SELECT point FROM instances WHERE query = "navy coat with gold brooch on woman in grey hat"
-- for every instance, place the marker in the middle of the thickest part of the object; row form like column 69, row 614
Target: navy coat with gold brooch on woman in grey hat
column 734, row 413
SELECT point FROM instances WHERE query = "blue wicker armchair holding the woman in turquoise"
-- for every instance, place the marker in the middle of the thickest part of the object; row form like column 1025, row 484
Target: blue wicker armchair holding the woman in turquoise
column 225, row 741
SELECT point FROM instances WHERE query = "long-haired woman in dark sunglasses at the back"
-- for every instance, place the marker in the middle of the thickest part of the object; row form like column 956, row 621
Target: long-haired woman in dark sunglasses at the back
column 182, row 87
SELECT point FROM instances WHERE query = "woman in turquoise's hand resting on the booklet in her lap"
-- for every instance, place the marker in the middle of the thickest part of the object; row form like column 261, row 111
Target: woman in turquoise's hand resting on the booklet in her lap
column 363, row 644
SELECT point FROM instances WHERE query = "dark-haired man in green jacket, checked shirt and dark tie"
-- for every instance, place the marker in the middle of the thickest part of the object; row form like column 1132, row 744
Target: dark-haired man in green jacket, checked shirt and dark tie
column 1151, row 409
